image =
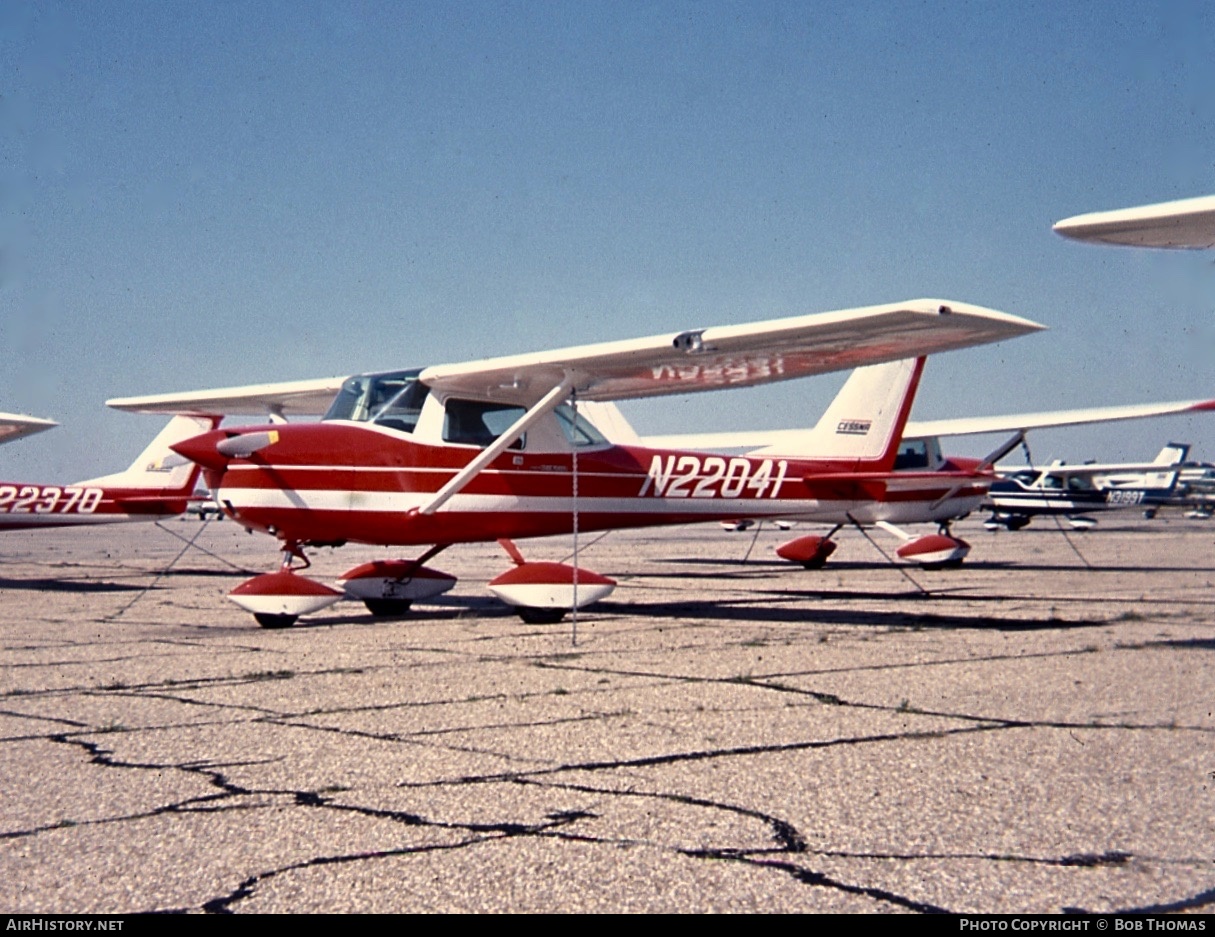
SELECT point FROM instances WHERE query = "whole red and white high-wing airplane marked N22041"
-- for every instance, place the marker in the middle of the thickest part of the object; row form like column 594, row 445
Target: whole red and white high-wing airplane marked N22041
column 498, row 450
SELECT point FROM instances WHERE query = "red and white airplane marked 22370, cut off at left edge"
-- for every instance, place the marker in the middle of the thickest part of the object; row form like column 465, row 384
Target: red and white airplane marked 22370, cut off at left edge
column 157, row 486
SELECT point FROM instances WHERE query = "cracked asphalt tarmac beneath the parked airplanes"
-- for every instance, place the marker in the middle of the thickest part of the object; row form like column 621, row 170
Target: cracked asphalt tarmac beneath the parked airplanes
column 1022, row 735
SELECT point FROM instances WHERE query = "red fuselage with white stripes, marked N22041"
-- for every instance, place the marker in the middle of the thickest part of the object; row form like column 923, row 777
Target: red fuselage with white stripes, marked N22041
column 337, row 482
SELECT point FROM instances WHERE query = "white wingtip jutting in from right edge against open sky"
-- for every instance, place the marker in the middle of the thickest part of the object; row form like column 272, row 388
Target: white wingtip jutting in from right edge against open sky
column 1189, row 223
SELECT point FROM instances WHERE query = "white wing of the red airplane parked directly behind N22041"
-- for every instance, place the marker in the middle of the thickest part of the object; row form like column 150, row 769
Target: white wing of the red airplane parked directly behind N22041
column 924, row 430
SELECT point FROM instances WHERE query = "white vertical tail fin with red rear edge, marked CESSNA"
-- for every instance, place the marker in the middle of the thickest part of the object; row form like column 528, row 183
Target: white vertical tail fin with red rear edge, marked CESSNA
column 866, row 421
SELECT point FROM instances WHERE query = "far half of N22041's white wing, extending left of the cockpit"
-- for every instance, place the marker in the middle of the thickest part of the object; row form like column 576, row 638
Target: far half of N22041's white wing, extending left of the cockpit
column 287, row 398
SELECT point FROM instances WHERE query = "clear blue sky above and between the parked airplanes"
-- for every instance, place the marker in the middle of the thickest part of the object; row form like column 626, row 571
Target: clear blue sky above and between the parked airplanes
column 224, row 194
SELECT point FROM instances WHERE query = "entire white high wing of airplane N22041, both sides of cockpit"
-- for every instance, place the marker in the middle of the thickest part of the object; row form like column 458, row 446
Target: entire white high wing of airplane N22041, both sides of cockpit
column 710, row 359
